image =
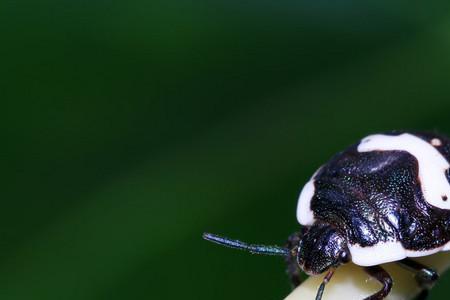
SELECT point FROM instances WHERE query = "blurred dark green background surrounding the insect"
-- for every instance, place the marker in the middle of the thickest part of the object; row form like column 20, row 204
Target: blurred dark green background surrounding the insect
column 130, row 127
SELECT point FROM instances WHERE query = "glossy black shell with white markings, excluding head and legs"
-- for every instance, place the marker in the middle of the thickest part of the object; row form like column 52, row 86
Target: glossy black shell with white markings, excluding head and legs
column 389, row 195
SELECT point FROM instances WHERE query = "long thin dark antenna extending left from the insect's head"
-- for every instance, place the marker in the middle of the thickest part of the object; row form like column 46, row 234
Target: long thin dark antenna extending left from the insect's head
column 252, row 248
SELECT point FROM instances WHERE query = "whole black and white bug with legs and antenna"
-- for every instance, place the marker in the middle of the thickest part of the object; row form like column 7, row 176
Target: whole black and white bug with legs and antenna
column 384, row 199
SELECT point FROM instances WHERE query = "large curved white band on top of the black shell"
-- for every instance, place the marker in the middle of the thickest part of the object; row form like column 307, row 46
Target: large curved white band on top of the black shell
column 432, row 165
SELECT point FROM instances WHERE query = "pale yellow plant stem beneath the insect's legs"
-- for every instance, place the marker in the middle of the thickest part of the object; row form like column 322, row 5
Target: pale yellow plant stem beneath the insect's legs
column 351, row 282
